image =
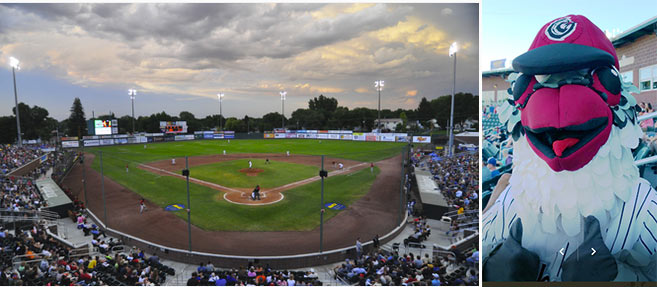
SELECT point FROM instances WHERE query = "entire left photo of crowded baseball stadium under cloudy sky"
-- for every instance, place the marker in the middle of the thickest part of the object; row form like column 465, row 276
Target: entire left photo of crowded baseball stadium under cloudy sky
column 312, row 175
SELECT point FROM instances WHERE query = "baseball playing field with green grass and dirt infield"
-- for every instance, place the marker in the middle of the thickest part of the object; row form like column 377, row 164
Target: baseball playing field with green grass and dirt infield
column 222, row 184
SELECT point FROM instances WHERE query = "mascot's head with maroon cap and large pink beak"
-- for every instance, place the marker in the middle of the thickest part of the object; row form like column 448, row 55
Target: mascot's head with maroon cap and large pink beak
column 569, row 83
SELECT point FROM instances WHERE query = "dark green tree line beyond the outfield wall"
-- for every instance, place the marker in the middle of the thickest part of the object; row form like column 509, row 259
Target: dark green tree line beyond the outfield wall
column 322, row 113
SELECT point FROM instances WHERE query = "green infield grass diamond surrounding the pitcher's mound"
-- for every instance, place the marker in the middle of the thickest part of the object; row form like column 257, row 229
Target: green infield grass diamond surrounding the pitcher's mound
column 275, row 174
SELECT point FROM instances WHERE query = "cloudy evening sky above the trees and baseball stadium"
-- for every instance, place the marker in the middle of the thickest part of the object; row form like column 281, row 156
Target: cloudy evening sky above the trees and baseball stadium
column 179, row 56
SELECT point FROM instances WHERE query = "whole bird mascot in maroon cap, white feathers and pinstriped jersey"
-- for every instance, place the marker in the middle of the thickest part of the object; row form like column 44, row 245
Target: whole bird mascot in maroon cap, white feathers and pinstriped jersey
column 575, row 208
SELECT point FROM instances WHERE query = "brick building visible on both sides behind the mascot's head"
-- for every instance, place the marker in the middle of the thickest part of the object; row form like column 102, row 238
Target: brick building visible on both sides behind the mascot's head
column 637, row 54
